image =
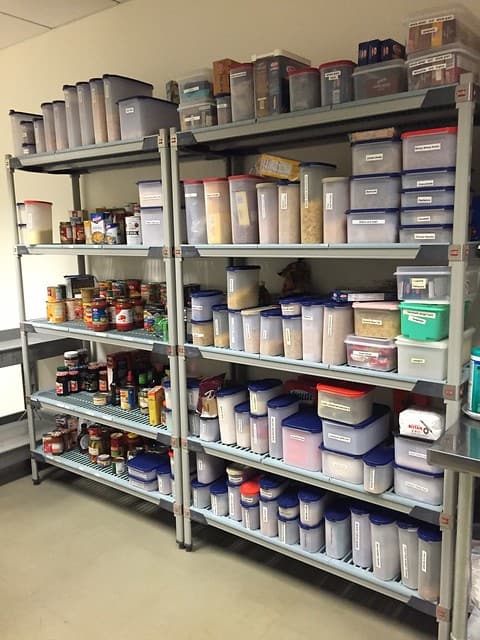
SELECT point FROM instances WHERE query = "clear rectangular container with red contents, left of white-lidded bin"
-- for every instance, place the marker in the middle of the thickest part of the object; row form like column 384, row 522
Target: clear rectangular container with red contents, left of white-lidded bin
column 376, row 354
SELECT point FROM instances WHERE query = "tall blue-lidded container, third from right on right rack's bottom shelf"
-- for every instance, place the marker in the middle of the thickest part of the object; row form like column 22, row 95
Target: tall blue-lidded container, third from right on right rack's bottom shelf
column 385, row 550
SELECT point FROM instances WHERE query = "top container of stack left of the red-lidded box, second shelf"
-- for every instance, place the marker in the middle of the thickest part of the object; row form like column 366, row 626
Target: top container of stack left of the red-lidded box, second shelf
column 379, row 156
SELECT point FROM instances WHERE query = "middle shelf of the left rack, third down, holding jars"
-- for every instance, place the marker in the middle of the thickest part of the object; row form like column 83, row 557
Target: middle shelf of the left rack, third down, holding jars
column 137, row 338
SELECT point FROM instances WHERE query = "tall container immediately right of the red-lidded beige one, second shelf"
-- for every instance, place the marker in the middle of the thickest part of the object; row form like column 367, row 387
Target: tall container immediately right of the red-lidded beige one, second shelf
column 243, row 207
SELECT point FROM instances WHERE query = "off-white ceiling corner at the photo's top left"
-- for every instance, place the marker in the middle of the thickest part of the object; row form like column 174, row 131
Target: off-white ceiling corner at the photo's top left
column 23, row 19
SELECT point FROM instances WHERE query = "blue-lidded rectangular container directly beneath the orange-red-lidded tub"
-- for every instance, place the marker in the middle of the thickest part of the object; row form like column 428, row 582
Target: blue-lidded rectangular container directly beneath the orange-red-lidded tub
column 357, row 439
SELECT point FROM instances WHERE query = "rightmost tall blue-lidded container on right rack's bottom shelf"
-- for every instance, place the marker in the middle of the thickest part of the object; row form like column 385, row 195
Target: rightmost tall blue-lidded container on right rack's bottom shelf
column 429, row 561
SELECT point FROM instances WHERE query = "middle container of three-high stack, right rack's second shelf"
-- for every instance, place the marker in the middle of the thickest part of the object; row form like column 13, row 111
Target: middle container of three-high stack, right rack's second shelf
column 381, row 191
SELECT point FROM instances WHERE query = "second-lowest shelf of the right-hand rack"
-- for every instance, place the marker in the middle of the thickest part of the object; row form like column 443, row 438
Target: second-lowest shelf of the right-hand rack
column 263, row 462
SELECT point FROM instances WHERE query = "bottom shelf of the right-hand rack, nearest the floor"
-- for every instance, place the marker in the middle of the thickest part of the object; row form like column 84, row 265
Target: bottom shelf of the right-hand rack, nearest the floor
column 342, row 568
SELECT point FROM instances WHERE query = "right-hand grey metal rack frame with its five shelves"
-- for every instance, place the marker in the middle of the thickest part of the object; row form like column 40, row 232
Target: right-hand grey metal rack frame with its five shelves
column 451, row 105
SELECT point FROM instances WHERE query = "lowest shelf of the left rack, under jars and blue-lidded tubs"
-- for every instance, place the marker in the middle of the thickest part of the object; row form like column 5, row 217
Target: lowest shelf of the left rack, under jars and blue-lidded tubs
column 80, row 464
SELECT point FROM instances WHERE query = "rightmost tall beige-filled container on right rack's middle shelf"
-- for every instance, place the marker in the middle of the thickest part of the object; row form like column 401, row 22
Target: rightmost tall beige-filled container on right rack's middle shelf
column 337, row 325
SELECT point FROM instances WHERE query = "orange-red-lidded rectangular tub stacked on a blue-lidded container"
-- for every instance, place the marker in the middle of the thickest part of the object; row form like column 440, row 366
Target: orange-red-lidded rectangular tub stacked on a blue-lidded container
column 348, row 403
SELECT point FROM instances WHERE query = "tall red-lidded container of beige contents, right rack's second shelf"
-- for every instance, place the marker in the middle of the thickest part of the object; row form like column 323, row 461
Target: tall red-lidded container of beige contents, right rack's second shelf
column 217, row 211
